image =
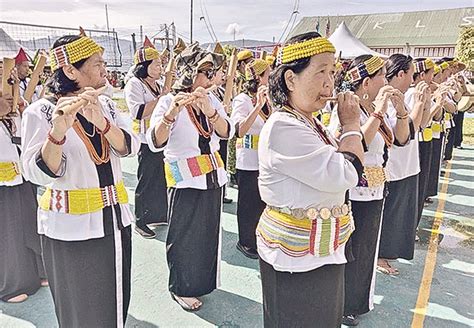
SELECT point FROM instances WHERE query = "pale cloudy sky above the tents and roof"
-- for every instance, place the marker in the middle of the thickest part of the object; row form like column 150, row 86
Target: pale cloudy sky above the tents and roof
column 251, row 19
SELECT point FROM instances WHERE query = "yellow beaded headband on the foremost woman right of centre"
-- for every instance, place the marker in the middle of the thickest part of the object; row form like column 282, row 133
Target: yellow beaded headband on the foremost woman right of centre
column 304, row 49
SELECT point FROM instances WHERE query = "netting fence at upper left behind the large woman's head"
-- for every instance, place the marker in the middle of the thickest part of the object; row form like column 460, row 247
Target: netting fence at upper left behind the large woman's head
column 41, row 37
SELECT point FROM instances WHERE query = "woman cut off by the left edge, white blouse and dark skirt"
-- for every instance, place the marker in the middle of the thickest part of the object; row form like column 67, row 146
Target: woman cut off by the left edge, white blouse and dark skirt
column 21, row 267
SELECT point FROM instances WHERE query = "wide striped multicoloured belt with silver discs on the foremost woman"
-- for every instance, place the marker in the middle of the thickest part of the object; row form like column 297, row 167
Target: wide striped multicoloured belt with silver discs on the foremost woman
column 319, row 232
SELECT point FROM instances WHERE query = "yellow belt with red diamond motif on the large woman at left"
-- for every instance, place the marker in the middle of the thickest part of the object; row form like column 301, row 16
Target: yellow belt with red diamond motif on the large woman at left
column 83, row 201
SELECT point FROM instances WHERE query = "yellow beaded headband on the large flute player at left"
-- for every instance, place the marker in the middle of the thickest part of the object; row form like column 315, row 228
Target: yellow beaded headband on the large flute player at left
column 73, row 52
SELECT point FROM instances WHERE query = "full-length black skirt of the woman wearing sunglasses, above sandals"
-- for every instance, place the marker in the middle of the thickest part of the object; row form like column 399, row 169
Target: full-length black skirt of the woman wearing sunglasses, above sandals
column 193, row 242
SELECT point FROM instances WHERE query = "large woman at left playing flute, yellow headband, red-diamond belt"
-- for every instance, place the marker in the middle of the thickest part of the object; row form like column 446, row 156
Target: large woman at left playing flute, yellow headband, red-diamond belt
column 73, row 146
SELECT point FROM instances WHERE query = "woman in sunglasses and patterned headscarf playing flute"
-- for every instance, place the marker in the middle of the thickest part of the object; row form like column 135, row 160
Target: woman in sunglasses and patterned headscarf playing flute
column 195, row 175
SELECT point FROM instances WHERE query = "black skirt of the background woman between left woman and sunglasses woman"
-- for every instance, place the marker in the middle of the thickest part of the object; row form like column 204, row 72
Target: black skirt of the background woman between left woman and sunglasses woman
column 151, row 200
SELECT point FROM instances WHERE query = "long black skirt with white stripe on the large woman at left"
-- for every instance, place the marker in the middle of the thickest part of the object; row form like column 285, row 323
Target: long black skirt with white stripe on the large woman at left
column 90, row 280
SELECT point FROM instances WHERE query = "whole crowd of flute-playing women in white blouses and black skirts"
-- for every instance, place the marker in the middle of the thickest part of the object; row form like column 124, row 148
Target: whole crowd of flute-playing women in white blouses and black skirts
column 320, row 206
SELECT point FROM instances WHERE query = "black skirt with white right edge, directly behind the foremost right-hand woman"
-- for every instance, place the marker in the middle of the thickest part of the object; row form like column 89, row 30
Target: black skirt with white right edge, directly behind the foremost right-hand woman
column 360, row 273
